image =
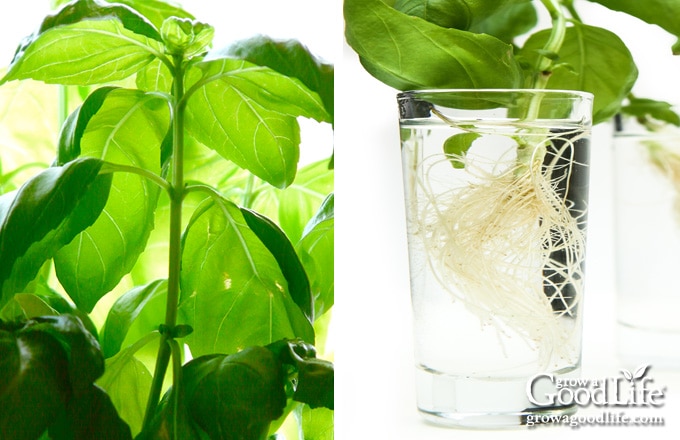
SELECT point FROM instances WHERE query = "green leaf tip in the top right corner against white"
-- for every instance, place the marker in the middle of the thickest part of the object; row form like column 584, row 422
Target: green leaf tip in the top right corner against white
column 663, row 13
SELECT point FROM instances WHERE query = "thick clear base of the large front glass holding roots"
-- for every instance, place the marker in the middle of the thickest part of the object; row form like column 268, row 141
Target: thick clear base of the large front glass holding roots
column 480, row 403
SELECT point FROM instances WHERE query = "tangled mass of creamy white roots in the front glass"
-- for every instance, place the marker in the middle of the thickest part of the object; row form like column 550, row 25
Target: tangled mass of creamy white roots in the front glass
column 491, row 242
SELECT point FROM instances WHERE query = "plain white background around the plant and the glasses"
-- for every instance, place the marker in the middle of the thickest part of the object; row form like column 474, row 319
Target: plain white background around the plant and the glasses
column 372, row 328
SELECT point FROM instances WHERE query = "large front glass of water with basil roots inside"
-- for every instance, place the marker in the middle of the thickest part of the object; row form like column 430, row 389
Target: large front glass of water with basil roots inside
column 496, row 188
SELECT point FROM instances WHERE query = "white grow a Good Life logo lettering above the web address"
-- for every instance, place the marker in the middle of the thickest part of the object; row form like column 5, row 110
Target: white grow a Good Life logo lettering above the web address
column 632, row 389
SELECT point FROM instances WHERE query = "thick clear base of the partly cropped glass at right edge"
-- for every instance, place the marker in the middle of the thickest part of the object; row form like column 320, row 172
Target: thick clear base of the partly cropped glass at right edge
column 638, row 345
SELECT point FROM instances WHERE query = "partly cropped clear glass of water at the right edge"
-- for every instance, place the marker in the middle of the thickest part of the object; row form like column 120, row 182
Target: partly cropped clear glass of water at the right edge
column 647, row 204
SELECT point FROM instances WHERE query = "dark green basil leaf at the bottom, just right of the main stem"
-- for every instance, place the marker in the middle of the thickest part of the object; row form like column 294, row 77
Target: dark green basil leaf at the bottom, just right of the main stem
column 224, row 397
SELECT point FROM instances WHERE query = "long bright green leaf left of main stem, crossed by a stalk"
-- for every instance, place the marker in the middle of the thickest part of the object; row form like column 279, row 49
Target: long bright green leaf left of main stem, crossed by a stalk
column 128, row 129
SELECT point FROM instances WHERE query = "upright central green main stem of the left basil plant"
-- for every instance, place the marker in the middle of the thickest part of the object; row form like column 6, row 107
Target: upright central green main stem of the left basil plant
column 177, row 192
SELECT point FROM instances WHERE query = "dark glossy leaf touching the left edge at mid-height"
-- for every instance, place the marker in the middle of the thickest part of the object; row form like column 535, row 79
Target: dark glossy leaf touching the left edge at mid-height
column 46, row 213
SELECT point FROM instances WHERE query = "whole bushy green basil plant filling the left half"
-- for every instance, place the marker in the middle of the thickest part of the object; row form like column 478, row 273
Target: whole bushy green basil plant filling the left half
column 168, row 272
